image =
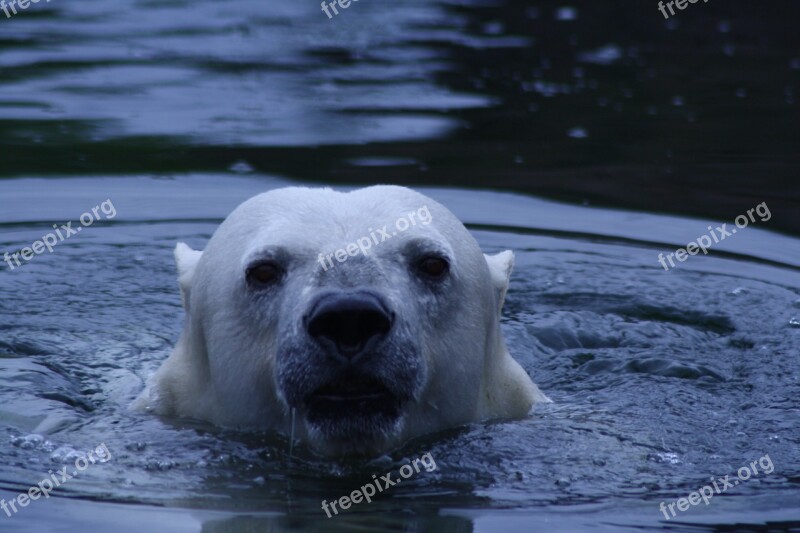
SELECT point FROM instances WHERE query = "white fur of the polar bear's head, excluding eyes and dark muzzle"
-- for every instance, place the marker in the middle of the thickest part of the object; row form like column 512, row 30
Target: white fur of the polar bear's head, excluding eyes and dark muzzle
column 223, row 369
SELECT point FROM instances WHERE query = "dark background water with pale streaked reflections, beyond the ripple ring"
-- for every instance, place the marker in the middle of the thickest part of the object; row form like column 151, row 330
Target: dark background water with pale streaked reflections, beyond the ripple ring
column 599, row 102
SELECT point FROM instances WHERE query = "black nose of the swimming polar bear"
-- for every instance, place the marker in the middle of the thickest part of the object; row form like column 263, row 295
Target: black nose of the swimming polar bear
column 349, row 324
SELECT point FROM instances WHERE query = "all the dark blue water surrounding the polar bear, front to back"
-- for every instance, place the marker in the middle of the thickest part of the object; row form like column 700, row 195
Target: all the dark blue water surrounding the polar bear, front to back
column 177, row 111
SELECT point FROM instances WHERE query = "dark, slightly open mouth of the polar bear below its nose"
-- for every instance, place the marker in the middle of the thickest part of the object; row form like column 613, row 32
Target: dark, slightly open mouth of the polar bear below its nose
column 352, row 397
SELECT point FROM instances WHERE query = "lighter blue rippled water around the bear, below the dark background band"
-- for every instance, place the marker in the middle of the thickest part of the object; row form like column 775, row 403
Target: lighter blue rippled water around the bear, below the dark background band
column 660, row 379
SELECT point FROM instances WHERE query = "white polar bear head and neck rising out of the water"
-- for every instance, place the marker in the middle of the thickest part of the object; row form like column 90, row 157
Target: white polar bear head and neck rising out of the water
column 371, row 317
